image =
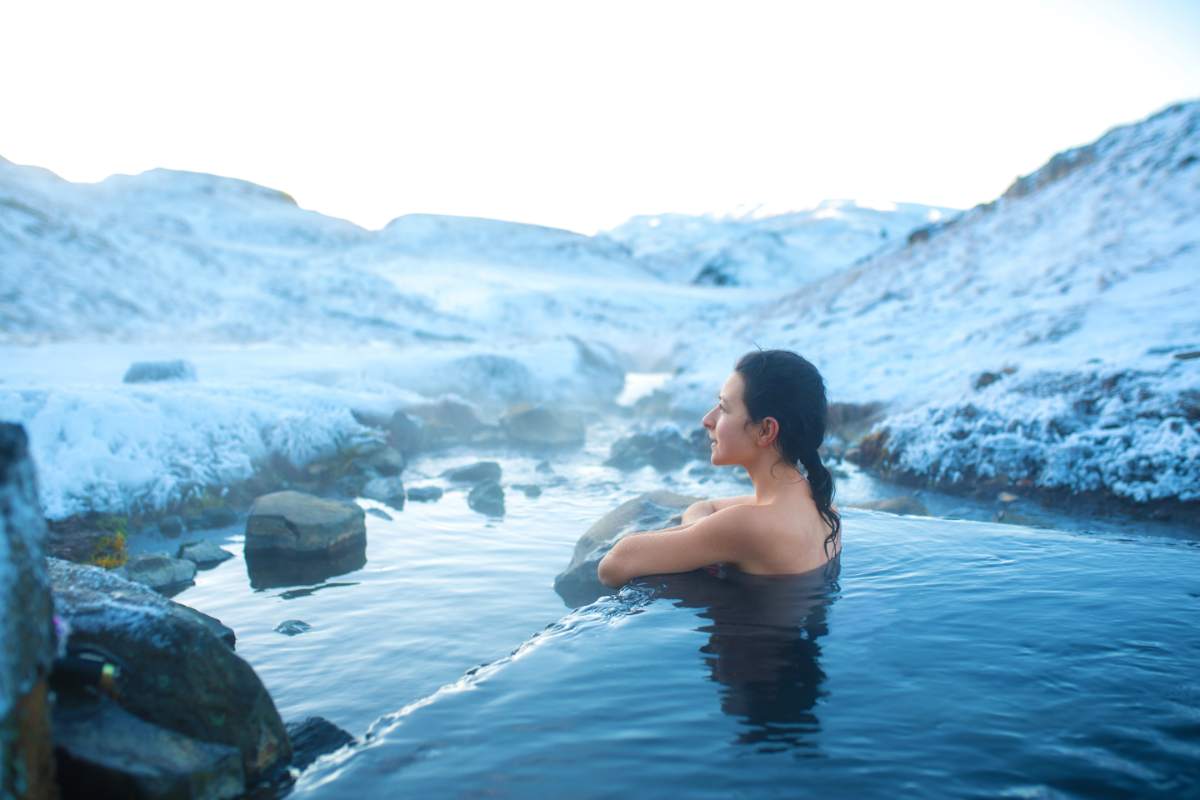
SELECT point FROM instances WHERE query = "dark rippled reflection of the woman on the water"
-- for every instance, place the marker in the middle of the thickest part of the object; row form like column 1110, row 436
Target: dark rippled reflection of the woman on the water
column 764, row 647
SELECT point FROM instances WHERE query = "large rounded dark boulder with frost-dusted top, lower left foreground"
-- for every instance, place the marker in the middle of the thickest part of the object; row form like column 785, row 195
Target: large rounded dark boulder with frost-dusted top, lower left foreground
column 176, row 671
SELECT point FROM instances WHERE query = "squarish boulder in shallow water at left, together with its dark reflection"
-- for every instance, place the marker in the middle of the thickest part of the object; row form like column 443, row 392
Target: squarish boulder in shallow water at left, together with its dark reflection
column 295, row 538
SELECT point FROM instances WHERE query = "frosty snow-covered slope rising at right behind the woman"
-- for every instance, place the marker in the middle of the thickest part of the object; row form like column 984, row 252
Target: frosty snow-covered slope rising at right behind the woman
column 1078, row 290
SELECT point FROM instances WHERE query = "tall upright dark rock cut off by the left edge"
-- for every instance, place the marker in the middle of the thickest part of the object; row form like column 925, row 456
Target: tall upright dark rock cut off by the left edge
column 27, row 633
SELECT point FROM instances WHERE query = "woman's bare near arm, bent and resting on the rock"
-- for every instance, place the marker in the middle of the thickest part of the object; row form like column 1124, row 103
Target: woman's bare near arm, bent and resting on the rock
column 711, row 540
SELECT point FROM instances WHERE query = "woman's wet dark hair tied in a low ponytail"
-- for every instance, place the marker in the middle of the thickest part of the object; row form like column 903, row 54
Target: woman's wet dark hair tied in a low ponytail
column 787, row 387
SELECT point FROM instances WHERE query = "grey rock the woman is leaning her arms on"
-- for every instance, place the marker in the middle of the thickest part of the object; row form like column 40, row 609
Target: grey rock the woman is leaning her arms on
column 579, row 585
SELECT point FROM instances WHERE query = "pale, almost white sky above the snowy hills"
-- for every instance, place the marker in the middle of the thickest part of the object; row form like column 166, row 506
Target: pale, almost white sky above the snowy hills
column 583, row 115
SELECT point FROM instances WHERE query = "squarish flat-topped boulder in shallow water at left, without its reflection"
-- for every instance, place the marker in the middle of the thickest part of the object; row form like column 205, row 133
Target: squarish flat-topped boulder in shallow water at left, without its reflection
column 297, row 525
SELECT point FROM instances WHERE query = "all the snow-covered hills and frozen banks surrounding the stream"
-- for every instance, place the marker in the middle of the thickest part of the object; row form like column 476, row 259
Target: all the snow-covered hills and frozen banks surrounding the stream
column 1041, row 339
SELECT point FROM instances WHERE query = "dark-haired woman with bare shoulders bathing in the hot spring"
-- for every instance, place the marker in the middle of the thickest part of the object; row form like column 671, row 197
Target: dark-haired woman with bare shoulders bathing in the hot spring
column 770, row 420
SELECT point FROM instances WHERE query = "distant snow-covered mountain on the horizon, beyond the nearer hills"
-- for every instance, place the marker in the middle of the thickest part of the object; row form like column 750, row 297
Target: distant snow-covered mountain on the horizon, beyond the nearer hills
column 776, row 251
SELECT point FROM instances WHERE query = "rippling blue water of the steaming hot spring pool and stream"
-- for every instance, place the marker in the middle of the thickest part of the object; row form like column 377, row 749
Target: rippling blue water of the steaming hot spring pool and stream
column 944, row 659
